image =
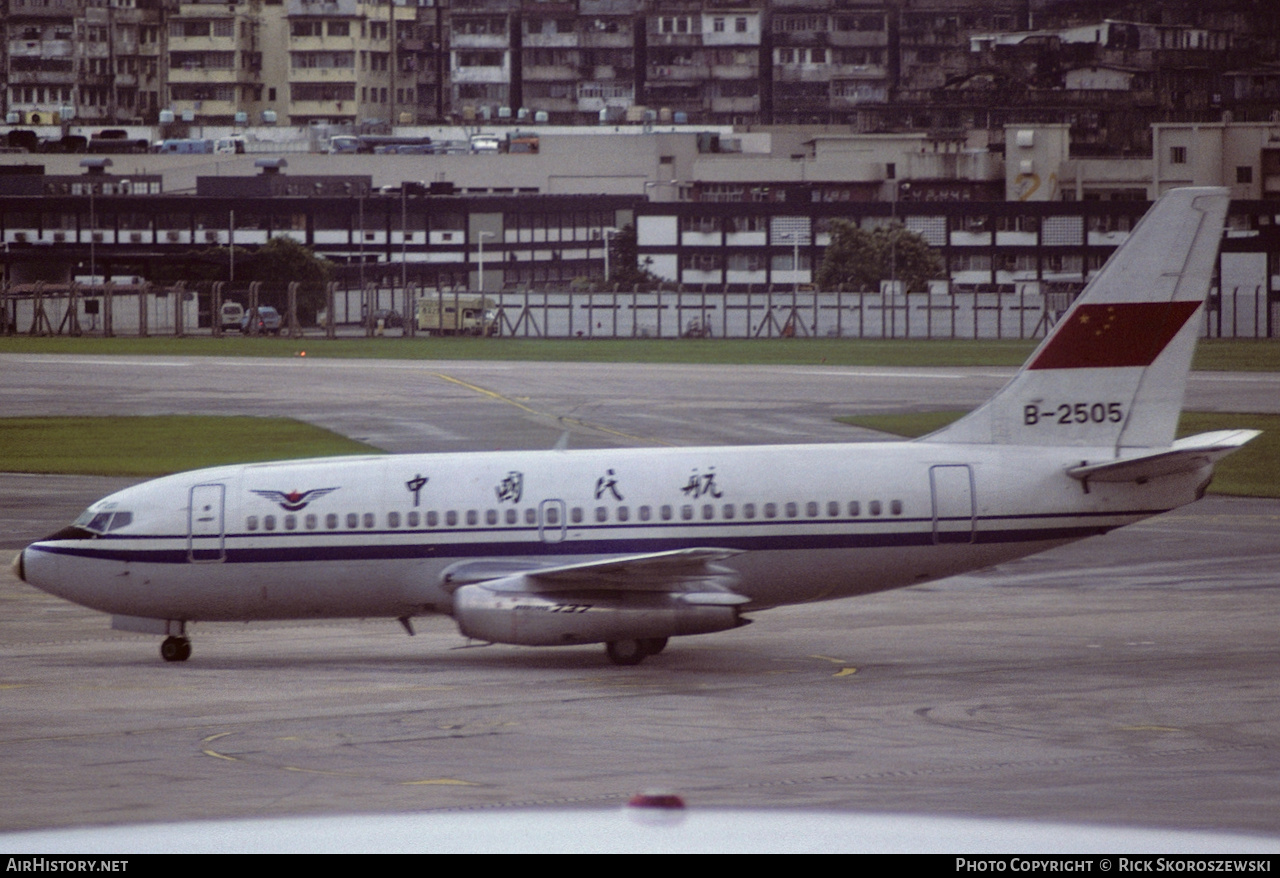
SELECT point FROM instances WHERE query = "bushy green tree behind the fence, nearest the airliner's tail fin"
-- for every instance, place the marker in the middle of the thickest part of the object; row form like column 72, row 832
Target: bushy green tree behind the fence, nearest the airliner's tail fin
column 862, row 259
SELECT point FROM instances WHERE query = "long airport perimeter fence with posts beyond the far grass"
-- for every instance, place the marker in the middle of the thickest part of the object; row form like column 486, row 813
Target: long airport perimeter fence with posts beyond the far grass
column 180, row 310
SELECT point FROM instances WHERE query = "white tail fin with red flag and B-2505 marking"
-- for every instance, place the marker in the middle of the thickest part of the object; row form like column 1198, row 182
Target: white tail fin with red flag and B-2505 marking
column 1114, row 369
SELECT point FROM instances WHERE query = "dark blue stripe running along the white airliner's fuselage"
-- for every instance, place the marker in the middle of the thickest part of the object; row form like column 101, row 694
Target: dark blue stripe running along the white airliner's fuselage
column 177, row 555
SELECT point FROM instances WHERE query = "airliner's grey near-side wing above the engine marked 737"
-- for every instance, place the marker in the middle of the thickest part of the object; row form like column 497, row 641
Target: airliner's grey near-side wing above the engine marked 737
column 692, row 570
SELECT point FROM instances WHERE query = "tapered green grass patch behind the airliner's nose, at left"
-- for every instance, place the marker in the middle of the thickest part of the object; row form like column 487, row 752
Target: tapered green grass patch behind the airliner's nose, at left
column 159, row 446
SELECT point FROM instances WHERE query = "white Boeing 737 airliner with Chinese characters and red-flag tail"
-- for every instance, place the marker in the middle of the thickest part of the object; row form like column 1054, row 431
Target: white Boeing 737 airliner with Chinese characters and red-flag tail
column 633, row 547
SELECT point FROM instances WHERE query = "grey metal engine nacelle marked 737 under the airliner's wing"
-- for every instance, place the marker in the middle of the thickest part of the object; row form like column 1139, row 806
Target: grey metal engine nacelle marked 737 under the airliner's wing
column 532, row 619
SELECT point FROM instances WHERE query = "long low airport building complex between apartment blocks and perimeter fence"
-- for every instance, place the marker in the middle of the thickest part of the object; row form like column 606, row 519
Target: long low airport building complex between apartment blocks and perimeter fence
column 720, row 211
